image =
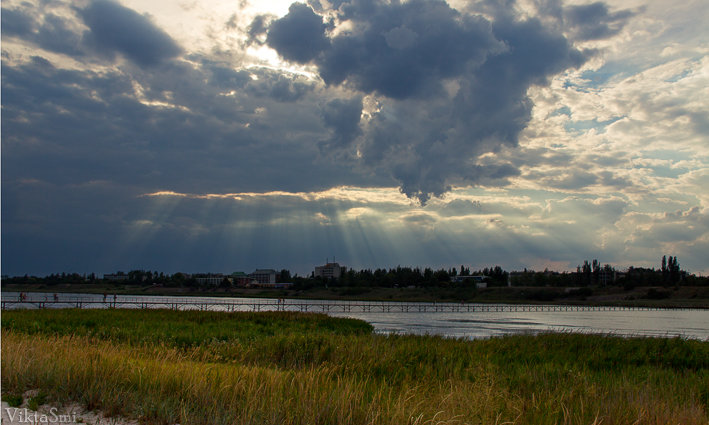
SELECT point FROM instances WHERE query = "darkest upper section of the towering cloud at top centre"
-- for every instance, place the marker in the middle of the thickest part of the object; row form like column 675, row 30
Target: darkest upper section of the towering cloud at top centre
column 404, row 49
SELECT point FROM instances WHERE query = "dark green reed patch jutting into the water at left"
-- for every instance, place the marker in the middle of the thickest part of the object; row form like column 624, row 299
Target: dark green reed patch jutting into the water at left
column 177, row 328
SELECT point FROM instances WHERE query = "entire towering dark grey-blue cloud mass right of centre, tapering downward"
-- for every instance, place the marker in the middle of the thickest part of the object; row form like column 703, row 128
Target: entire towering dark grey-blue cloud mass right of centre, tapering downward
column 456, row 83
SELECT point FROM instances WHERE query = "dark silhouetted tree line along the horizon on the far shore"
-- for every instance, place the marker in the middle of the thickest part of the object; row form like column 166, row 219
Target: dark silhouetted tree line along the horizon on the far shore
column 590, row 273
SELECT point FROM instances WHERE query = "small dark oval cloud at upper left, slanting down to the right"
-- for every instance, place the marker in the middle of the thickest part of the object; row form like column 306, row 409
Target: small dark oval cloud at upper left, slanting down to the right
column 117, row 29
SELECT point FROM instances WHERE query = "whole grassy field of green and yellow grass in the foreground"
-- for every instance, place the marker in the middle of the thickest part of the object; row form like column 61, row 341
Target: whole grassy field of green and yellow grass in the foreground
column 167, row 367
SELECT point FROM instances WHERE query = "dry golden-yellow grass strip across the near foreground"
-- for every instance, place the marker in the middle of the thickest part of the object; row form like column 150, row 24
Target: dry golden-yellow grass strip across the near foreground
column 172, row 388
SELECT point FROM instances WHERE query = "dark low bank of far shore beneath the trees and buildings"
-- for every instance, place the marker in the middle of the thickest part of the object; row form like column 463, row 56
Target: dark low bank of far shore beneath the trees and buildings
column 660, row 297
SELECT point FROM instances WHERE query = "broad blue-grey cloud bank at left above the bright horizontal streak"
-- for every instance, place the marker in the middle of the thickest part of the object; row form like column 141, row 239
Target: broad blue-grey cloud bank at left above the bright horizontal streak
column 196, row 129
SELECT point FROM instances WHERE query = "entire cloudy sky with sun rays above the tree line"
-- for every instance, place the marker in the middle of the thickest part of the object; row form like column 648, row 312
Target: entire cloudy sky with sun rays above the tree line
column 222, row 136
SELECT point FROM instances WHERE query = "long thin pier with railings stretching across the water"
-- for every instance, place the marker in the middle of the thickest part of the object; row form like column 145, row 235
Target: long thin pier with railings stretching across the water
column 334, row 306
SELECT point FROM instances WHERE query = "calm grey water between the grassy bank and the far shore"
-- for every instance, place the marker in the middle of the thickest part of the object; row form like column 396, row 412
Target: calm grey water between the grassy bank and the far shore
column 688, row 323
